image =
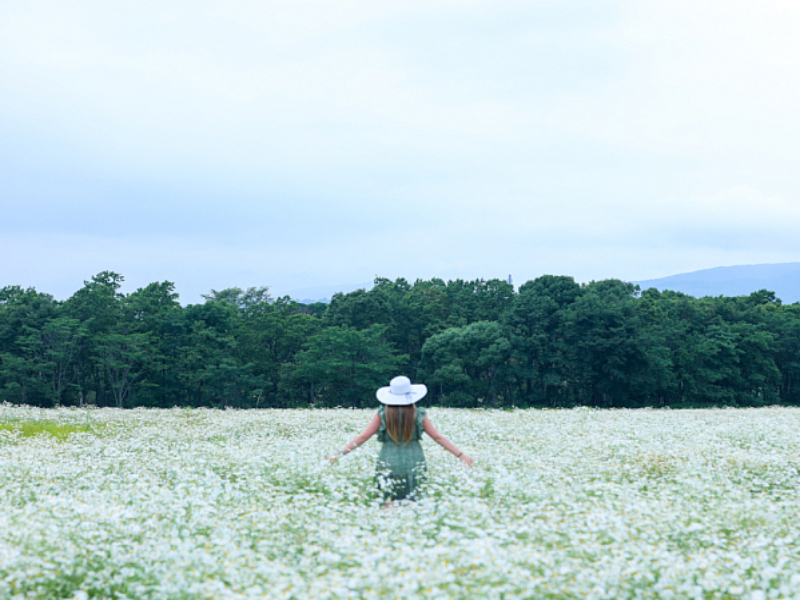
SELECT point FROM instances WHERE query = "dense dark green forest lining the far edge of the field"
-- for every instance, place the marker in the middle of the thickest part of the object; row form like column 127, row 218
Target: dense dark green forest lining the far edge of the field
column 551, row 343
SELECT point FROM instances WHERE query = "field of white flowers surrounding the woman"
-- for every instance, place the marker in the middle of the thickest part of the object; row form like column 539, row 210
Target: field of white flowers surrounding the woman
column 185, row 504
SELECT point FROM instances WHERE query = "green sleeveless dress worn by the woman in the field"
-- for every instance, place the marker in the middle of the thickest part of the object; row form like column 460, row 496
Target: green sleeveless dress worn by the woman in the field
column 401, row 467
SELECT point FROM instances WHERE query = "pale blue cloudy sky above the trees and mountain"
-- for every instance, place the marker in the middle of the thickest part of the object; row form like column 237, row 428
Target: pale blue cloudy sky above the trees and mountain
column 295, row 144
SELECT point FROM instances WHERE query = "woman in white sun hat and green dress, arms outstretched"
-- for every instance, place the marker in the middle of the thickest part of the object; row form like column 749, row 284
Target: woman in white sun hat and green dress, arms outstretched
column 400, row 424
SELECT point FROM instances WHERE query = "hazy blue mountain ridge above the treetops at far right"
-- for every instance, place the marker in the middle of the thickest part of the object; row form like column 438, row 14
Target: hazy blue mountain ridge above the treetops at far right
column 741, row 280
